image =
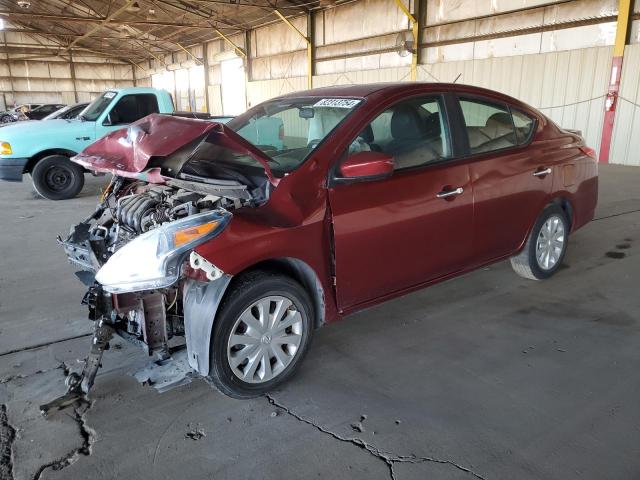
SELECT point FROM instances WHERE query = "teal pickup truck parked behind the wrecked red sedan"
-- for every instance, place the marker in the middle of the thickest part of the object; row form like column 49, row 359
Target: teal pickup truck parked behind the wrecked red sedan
column 43, row 149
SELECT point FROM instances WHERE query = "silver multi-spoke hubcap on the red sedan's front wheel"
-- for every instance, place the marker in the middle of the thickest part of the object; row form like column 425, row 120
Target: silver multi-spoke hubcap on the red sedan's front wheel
column 265, row 339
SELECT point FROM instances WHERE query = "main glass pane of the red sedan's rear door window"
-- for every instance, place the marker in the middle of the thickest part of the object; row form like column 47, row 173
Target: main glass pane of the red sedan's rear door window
column 489, row 126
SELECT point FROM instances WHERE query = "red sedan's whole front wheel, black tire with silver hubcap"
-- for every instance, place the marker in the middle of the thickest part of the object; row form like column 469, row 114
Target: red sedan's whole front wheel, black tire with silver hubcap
column 261, row 334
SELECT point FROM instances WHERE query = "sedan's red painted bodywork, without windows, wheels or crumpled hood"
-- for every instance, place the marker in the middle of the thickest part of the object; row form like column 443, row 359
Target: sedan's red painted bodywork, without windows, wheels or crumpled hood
column 368, row 241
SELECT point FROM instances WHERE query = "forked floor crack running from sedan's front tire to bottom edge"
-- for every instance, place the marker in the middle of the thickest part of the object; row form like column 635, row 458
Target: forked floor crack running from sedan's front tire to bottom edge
column 389, row 459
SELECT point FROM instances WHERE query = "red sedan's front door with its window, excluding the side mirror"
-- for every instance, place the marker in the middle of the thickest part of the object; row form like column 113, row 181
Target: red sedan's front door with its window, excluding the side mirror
column 393, row 234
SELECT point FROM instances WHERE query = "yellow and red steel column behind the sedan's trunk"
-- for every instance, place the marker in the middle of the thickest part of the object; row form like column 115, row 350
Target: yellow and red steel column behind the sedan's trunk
column 611, row 102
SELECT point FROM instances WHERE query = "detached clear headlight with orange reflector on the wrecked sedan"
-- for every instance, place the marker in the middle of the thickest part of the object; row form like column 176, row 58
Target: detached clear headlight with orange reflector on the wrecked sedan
column 153, row 259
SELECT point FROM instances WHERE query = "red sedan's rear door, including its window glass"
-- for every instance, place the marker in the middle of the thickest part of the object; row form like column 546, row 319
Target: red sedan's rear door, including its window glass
column 511, row 179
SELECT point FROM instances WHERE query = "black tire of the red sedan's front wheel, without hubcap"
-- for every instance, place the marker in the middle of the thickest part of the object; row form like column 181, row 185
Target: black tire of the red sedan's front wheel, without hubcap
column 242, row 294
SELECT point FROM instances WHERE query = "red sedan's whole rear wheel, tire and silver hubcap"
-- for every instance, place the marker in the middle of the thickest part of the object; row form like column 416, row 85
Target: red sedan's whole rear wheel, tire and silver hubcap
column 542, row 255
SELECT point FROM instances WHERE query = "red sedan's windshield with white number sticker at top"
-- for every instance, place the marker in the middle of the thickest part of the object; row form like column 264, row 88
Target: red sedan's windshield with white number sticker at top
column 288, row 130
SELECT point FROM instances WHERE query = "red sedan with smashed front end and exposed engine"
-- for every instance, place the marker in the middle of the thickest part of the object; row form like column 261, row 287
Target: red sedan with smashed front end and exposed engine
column 232, row 243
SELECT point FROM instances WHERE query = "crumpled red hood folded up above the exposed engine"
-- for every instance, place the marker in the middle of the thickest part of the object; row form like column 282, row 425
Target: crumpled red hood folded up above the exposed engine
column 127, row 152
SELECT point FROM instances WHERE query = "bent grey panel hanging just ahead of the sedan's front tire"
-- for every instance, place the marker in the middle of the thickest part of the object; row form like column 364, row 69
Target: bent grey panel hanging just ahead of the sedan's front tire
column 200, row 302
